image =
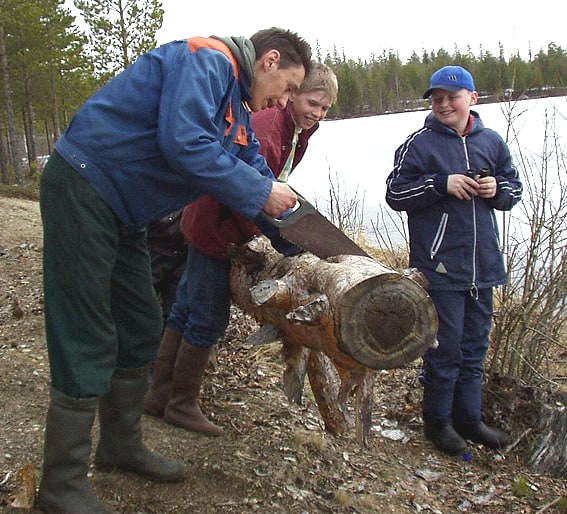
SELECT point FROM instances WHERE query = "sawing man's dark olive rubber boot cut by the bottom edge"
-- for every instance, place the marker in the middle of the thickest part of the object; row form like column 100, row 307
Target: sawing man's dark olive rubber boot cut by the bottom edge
column 65, row 487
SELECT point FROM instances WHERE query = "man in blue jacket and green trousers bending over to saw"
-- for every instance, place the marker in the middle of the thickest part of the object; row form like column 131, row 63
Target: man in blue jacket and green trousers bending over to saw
column 173, row 126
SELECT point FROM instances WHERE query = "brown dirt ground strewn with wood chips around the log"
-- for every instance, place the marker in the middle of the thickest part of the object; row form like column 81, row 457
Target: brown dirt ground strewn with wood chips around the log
column 275, row 456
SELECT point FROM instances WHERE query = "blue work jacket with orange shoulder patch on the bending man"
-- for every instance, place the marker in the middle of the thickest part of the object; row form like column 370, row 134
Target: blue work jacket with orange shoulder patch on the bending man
column 171, row 127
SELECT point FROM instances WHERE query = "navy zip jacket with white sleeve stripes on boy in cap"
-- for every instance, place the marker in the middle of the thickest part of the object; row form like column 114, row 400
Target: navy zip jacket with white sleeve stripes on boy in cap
column 455, row 243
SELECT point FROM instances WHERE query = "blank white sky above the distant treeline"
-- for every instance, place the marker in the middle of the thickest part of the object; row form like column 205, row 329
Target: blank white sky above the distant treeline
column 359, row 28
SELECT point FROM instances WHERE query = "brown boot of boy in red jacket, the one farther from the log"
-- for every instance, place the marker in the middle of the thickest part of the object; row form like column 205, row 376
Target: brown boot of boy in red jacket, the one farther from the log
column 159, row 391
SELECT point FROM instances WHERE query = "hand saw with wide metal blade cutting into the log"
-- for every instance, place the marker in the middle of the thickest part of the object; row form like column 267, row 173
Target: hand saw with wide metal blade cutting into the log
column 308, row 229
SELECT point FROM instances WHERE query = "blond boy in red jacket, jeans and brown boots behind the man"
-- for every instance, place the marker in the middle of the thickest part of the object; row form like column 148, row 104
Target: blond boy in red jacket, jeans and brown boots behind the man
column 201, row 313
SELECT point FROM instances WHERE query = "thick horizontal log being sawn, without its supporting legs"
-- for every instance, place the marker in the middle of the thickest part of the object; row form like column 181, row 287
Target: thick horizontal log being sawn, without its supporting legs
column 353, row 308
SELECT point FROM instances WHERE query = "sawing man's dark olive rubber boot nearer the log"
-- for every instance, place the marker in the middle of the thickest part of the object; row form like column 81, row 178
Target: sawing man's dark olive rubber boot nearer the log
column 120, row 445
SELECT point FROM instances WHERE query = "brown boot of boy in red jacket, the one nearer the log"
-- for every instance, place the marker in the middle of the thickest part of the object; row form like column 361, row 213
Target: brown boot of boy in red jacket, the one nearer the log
column 183, row 407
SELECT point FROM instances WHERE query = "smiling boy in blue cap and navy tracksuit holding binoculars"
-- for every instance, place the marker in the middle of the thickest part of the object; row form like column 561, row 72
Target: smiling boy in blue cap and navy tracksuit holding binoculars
column 450, row 176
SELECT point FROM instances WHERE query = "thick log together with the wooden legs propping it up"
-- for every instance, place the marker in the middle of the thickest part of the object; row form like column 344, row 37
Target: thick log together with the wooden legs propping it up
column 350, row 311
